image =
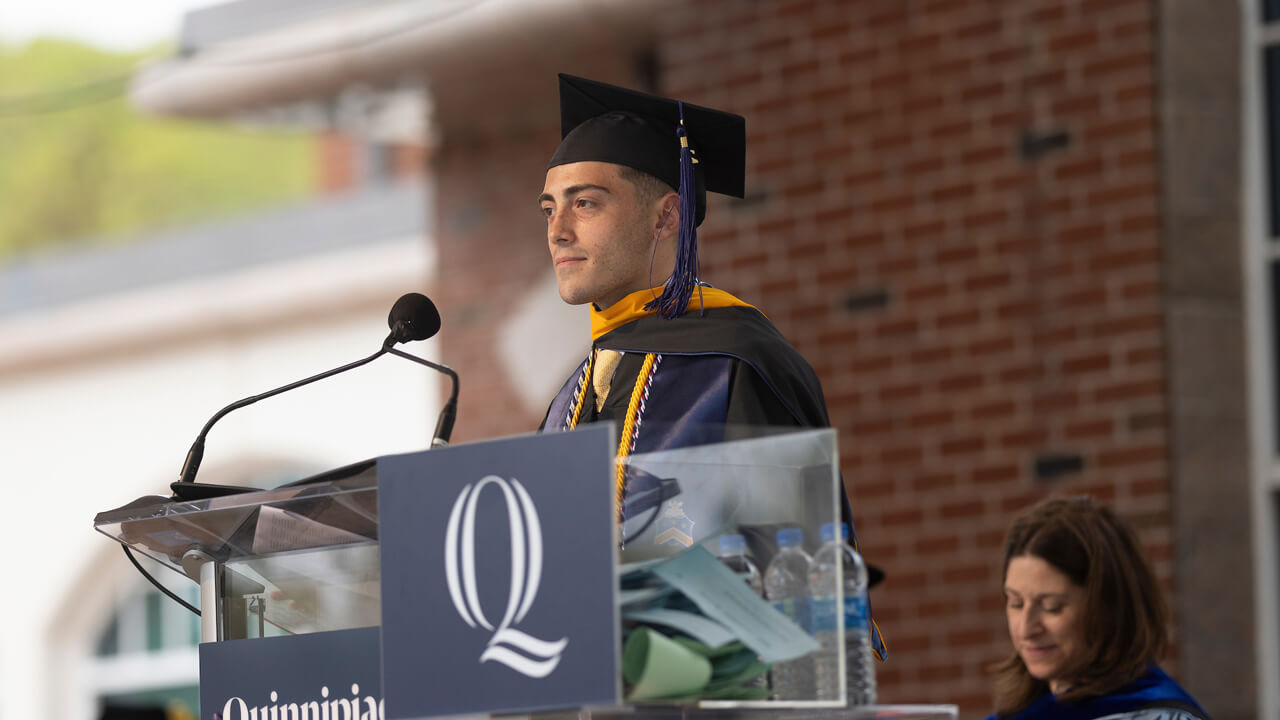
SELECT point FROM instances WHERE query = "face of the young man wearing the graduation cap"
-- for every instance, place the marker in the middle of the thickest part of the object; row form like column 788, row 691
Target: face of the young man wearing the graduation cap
column 600, row 235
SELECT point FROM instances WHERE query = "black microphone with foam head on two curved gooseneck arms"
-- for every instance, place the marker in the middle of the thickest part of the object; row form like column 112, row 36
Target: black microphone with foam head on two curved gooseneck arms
column 413, row 317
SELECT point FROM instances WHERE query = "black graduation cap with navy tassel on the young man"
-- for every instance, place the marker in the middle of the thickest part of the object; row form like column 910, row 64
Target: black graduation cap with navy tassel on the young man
column 607, row 124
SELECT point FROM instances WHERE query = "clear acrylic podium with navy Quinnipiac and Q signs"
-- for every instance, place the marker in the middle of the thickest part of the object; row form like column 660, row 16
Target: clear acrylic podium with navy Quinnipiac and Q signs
column 464, row 581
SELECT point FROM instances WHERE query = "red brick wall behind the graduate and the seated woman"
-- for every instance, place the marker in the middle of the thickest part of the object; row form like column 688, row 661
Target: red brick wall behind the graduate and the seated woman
column 1023, row 297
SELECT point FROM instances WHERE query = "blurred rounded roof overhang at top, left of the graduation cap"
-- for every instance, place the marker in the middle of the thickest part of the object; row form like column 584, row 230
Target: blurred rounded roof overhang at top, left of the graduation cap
column 483, row 61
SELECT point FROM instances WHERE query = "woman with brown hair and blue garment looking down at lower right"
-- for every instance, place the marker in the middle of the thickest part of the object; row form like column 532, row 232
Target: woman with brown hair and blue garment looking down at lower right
column 1087, row 621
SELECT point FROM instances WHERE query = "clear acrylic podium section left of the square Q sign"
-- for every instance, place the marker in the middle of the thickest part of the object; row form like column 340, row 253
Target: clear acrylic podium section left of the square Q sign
column 292, row 560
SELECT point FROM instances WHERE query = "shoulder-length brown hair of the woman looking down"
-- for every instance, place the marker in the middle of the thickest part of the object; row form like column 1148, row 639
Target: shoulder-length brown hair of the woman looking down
column 1124, row 618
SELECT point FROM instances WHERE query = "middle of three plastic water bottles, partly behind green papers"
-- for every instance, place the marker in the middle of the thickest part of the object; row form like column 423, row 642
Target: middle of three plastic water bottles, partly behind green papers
column 787, row 586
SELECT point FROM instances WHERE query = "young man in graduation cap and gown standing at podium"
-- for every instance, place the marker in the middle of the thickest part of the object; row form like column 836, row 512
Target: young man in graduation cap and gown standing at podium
column 674, row 361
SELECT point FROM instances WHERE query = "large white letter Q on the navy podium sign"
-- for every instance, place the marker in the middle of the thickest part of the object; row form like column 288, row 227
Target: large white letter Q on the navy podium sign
column 527, row 569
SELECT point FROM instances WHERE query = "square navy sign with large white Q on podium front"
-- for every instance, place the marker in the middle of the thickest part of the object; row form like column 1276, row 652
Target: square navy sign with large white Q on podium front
column 488, row 554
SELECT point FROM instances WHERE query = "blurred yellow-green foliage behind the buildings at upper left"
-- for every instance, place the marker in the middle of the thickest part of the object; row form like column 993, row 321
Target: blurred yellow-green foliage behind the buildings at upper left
column 79, row 165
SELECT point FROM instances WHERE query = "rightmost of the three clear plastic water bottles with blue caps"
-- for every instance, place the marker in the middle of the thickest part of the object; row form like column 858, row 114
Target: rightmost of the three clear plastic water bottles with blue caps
column 860, row 664
